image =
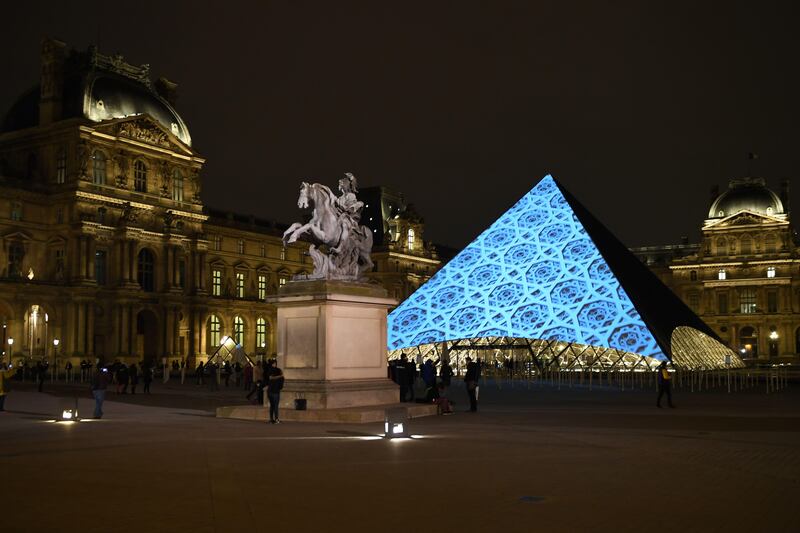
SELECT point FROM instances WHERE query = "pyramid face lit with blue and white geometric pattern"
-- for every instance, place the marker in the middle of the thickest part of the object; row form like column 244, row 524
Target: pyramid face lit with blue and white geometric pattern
column 534, row 274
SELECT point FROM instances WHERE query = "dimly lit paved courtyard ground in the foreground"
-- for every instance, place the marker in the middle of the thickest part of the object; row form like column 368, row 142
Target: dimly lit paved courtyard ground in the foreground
column 532, row 459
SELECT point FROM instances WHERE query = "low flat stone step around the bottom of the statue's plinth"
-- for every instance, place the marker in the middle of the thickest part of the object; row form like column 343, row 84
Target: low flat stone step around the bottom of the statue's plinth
column 345, row 415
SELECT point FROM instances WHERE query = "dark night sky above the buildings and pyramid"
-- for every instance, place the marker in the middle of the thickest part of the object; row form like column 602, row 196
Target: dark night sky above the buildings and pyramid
column 638, row 108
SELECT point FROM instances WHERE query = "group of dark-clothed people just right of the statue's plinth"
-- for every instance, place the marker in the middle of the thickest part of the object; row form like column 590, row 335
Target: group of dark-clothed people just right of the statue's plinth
column 404, row 373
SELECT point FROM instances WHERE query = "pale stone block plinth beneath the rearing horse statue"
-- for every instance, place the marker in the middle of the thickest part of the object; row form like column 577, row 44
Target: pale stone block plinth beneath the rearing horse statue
column 332, row 344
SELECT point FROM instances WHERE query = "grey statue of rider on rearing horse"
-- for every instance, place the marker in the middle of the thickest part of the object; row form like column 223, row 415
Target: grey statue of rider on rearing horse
column 340, row 246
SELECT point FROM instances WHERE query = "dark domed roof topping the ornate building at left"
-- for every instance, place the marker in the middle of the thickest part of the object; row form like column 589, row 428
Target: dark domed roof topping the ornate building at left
column 98, row 88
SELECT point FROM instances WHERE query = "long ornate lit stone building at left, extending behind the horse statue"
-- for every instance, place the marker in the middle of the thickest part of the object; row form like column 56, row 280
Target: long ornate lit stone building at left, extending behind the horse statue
column 107, row 249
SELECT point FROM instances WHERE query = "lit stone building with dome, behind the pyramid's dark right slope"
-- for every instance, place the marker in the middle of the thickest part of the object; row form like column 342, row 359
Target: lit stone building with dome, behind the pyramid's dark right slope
column 743, row 278
